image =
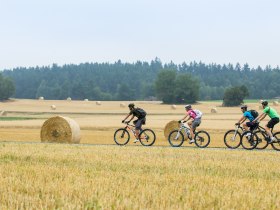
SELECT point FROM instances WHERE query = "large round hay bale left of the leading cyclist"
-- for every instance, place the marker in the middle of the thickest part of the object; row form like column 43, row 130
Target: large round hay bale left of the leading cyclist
column 60, row 130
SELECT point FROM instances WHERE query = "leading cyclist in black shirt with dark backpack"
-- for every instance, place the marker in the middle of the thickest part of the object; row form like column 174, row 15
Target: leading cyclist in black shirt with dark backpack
column 141, row 115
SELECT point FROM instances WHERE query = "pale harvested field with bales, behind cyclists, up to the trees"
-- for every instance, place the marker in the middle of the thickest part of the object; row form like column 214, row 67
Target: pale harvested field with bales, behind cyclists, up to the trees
column 99, row 122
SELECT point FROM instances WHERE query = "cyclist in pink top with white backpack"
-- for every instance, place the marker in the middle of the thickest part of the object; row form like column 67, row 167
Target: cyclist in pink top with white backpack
column 195, row 120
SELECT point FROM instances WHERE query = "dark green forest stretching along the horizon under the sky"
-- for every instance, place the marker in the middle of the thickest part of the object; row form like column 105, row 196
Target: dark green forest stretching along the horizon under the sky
column 142, row 81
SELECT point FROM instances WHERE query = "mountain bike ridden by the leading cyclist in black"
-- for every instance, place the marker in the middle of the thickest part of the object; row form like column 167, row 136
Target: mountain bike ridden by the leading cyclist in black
column 147, row 137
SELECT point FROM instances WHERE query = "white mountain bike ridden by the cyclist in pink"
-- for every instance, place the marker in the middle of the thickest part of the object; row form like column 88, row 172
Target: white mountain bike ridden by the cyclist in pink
column 176, row 137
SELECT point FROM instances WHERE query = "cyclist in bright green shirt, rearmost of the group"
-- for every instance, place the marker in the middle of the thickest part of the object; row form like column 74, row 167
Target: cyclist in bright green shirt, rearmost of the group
column 273, row 121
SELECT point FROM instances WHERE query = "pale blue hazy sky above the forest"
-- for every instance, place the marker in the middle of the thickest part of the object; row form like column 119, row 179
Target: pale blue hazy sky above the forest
column 42, row 32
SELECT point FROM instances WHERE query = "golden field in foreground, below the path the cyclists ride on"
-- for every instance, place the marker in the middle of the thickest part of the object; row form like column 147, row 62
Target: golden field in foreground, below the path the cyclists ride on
column 57, row 176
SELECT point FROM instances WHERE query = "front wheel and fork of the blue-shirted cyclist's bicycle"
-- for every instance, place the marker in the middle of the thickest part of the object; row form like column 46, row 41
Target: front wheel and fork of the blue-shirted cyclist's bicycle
column 232, row 138
